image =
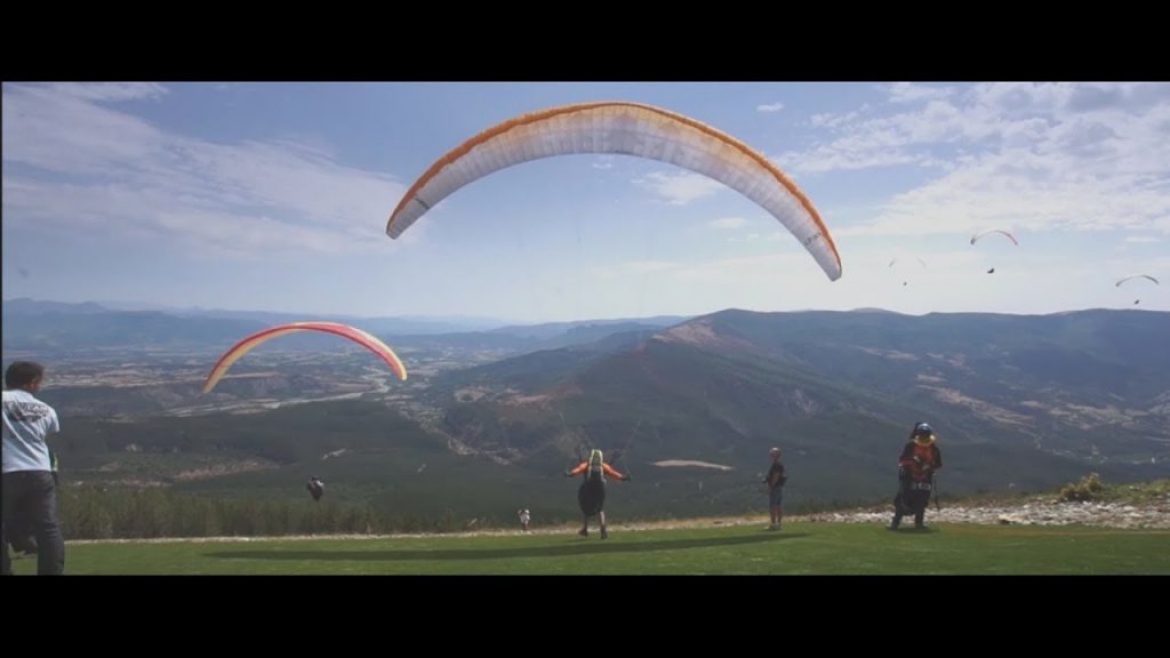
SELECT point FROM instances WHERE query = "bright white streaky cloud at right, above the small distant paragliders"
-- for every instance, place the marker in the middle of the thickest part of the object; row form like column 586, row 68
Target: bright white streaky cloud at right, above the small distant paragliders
column 1034, row 156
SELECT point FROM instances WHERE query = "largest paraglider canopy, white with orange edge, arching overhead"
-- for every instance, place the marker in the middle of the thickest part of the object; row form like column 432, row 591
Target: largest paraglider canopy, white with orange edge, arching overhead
column 630, row 129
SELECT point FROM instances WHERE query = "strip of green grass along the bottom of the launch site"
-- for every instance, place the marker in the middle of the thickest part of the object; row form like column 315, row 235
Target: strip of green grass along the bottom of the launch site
column 801, row 549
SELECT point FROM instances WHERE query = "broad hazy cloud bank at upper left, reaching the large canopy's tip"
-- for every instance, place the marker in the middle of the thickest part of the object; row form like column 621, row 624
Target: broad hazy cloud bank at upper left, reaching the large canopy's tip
column 112, row 172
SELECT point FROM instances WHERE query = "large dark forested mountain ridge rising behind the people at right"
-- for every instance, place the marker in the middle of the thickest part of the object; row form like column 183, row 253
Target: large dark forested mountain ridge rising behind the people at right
column 1016, row 400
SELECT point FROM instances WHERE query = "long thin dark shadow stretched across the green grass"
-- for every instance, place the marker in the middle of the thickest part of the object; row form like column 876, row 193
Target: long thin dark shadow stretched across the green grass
column 558, row 551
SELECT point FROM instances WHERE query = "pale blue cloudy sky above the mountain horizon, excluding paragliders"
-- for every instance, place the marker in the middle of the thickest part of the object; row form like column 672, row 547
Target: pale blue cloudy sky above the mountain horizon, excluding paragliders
column 276, row 197
